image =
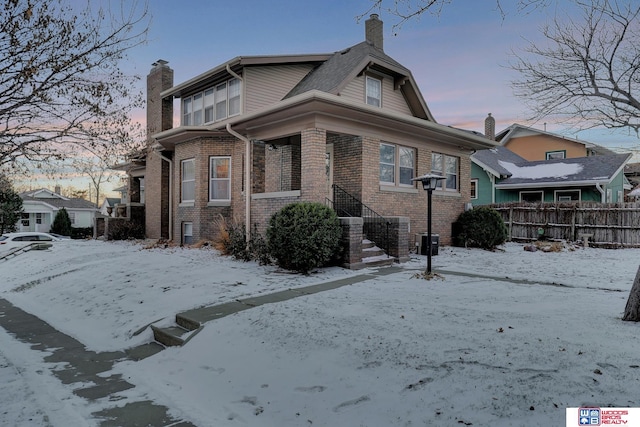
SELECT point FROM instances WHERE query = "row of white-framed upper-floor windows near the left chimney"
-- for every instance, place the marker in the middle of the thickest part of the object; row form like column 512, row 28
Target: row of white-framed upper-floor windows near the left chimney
column 213, row 104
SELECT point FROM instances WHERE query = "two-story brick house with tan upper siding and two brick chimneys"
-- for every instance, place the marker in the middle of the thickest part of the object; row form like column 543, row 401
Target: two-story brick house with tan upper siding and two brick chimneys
column 259, row 132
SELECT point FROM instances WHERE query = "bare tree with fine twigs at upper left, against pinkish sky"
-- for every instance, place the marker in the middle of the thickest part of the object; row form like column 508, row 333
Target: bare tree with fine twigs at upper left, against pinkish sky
column 60, row 76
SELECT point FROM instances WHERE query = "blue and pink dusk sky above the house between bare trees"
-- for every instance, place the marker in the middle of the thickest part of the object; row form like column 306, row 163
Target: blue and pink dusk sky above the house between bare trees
column 459, row 59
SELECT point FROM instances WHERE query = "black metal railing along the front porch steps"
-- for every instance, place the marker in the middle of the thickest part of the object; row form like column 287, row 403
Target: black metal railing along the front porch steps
column 375, row 226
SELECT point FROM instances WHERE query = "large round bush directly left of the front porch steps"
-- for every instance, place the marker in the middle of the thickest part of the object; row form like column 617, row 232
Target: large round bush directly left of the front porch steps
column 304, row 235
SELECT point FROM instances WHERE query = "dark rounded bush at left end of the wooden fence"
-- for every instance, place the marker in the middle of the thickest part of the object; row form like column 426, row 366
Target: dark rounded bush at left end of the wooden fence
column 481, row 227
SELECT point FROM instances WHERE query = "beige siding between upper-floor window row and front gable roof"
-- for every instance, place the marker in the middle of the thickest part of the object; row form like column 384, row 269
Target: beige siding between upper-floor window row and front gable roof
column 264, row 86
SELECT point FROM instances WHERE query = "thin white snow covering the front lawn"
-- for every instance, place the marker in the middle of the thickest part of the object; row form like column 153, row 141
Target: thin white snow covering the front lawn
column 543, row 334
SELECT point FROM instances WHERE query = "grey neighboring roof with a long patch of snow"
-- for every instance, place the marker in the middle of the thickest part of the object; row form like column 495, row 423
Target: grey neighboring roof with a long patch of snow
column 576, row 171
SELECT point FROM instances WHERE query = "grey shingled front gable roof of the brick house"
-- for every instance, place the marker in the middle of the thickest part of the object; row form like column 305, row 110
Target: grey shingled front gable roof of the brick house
column 342, row 67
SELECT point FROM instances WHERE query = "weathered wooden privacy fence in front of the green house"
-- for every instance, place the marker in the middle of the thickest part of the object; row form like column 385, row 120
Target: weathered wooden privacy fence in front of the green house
column 612, row 225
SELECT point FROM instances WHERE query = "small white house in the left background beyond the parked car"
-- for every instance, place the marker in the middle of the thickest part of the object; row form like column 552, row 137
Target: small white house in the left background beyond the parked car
column 41, row 206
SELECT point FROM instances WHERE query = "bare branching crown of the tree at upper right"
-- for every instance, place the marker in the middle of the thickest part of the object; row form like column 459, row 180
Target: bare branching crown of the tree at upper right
column 589, row 72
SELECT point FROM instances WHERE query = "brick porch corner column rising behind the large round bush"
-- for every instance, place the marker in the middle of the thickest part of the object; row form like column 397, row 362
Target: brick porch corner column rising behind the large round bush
column 313, row 179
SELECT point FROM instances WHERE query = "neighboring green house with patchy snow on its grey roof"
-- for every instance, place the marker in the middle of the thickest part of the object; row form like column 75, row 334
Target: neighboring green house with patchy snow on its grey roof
column 499, row 176
